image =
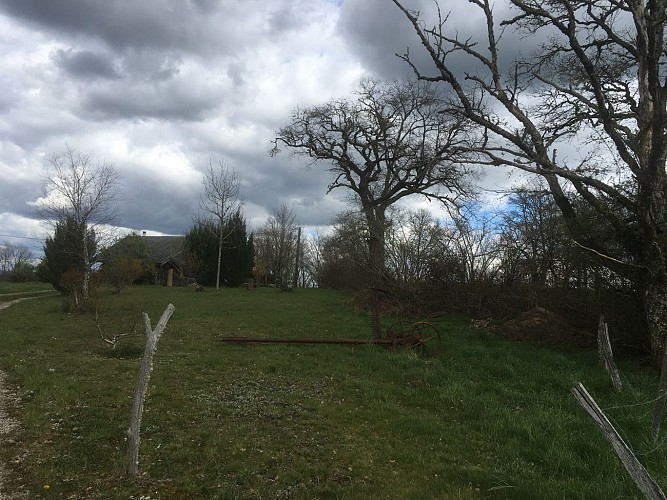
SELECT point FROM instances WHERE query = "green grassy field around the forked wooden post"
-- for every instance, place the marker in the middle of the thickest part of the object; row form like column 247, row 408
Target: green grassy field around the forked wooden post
column 485, row 418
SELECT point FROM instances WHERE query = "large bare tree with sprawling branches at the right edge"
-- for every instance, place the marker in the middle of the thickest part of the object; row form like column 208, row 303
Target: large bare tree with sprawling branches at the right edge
column 597, row 78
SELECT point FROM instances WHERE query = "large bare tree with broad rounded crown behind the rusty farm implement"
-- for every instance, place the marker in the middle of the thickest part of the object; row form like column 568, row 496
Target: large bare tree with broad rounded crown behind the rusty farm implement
column 388, row 141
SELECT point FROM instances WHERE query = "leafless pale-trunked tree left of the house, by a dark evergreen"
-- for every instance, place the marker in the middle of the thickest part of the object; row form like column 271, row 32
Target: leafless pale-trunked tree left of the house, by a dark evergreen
column 85, row 192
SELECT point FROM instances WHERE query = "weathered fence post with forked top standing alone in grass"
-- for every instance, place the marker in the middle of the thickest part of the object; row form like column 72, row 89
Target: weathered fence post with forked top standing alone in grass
column 152, row 336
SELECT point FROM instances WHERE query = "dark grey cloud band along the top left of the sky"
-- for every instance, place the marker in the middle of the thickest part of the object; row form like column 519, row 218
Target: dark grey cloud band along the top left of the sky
column 212, row 28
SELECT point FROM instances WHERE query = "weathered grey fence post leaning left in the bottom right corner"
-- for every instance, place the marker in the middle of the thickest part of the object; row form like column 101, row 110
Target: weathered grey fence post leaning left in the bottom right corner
column 639, row 474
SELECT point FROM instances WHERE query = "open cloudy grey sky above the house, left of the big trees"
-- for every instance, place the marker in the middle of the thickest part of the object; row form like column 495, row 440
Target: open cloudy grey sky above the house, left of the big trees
column 160, row 87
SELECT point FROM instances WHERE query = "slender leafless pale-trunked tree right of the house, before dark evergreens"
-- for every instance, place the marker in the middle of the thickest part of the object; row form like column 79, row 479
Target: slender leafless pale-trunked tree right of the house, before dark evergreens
column 220, row 201
